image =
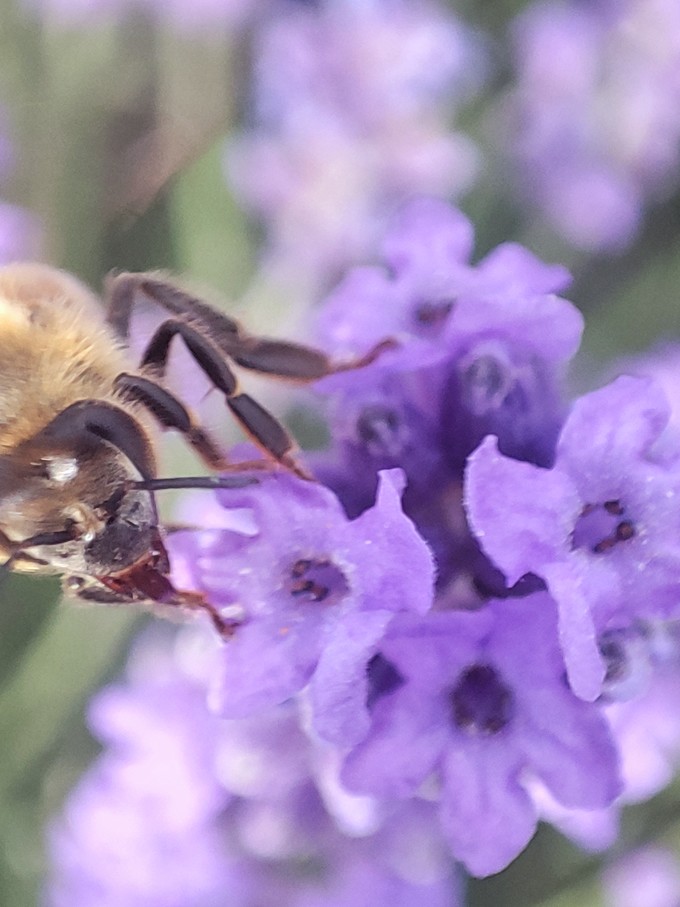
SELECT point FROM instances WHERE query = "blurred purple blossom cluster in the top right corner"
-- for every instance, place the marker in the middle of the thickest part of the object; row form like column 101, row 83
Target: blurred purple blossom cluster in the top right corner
column 594, row 113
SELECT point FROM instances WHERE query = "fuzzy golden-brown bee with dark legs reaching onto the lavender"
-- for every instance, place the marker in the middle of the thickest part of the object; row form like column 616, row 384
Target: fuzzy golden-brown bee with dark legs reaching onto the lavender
column 79, row 426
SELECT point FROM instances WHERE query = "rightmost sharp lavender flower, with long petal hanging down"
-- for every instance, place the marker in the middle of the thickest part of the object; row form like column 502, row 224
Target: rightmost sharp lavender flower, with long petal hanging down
column 600, row 527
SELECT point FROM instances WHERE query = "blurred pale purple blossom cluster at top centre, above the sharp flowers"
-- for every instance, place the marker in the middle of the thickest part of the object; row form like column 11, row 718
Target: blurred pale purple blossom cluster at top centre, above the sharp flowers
column 350, row 112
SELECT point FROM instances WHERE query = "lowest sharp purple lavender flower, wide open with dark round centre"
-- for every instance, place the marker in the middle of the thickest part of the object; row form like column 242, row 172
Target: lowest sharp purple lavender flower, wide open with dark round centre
column 476, row 704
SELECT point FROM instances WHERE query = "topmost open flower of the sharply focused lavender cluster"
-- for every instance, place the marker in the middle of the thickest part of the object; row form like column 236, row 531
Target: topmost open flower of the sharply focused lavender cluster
column 427, row 253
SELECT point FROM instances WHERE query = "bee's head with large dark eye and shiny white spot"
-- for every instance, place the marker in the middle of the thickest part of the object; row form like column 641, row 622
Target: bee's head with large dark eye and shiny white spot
column 76, row 478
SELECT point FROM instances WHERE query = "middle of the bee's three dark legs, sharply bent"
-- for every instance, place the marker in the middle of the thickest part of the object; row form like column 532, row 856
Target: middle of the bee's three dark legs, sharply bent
column 264, row 429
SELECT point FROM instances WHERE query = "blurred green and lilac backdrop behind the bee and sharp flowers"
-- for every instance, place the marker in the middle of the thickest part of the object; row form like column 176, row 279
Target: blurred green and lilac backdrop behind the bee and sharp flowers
column 259, row 147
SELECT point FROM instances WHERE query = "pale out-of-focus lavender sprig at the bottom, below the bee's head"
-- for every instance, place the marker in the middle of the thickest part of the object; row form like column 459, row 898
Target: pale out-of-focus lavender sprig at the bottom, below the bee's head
column 185, row 809
